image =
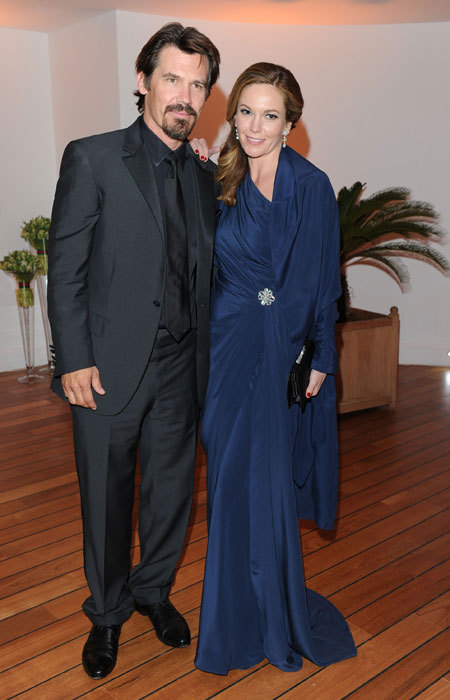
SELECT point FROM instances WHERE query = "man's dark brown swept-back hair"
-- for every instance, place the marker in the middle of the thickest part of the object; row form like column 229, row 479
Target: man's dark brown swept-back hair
column 187, row 39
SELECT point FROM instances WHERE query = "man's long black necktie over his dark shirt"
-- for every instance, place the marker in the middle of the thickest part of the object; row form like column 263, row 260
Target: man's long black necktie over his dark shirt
column 176, row 293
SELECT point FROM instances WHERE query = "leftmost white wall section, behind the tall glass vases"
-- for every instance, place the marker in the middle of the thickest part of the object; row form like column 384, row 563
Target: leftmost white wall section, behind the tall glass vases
column 27, row 172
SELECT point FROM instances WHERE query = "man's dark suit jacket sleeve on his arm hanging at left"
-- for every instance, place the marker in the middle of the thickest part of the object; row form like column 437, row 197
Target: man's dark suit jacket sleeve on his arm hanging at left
column 74, row 216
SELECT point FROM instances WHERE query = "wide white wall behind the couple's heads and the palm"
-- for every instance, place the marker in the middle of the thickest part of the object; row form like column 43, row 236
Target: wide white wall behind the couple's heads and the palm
column 377, row 105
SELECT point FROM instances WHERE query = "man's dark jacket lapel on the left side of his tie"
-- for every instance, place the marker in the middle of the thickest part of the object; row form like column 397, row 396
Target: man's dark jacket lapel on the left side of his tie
column 138, row 163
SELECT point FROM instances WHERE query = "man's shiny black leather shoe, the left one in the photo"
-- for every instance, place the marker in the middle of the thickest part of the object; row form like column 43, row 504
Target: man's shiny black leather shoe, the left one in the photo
column 100, row 651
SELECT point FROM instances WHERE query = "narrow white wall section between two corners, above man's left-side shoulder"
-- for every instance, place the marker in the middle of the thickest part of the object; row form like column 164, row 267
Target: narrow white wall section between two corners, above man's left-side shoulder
column 85, row 85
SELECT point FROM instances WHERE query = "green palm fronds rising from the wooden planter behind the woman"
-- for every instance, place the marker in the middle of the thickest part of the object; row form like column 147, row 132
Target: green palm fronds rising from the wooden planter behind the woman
column 379, row 230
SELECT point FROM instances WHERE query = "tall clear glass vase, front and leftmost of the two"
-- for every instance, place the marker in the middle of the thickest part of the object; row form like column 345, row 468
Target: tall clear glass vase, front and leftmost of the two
column 24, row 285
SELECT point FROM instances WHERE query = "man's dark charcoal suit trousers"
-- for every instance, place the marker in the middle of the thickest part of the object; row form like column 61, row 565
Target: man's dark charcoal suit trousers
column 160, row 421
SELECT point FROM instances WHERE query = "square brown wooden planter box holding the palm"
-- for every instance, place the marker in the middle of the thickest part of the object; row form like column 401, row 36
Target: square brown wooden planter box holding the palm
column 368, row 360
